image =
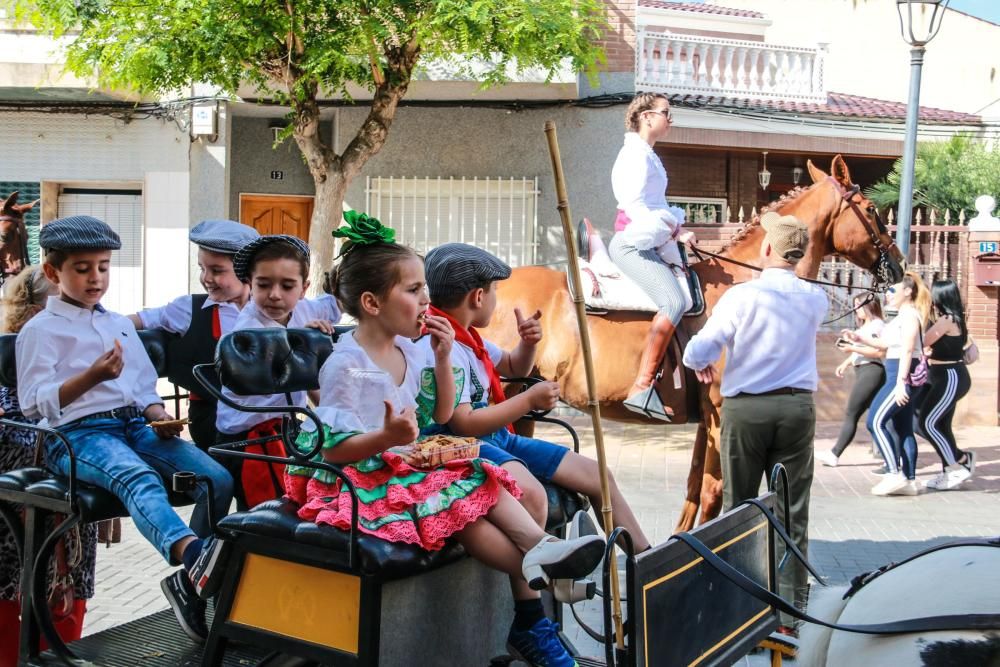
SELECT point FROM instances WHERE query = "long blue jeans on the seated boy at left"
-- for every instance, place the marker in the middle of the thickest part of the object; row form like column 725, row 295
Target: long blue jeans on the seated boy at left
column 127, row 458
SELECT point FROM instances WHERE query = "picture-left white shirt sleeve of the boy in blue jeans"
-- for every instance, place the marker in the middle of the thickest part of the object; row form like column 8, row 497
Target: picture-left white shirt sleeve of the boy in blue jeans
column 36, row 364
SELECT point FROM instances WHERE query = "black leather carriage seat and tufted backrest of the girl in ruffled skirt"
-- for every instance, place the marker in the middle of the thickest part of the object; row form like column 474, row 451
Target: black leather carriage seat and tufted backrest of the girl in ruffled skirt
column 269, row 361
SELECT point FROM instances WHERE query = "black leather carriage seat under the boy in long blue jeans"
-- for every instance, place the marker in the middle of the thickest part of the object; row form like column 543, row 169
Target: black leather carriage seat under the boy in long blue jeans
column 94, row 504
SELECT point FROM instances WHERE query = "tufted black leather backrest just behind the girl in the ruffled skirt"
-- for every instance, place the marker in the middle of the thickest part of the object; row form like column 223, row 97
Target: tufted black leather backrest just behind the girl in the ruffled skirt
column 274, row 360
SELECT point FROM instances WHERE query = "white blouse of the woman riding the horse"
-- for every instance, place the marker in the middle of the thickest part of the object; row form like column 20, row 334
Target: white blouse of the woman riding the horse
column 639, row 182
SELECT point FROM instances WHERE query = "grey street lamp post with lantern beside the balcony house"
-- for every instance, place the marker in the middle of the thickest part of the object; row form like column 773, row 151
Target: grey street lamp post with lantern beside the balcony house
column 919, row 21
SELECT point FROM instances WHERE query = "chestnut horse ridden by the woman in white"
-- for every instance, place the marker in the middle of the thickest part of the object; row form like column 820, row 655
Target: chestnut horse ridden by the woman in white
column 841, row 221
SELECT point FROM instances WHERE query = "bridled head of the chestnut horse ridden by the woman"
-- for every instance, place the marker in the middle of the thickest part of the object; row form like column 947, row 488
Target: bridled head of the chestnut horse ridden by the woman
column 848, row 225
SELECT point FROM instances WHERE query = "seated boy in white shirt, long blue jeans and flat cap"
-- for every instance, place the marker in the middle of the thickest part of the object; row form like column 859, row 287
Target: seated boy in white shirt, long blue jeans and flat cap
column 84, row 372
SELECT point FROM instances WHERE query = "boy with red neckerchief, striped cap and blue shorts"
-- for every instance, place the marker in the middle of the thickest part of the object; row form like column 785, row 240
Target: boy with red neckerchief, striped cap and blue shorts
column 462, row 282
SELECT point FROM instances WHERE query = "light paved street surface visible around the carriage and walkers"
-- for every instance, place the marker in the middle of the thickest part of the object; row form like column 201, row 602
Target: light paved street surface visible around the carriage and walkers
column 850, row 532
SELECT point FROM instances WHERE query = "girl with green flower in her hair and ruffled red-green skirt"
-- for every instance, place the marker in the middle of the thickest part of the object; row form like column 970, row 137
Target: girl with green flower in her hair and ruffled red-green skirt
column 377, row 391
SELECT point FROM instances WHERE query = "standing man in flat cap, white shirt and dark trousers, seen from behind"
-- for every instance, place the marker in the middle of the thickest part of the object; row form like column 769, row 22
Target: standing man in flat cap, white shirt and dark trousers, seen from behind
column 767, row 328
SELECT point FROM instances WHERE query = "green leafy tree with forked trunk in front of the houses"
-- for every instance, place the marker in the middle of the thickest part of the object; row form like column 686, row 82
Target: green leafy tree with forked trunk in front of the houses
column 299, row 51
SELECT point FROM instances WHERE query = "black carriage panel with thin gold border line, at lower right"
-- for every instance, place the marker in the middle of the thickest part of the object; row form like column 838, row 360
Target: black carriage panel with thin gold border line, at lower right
column 686, row 612
